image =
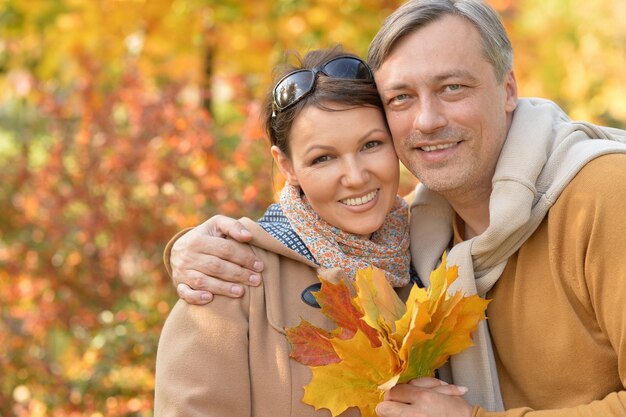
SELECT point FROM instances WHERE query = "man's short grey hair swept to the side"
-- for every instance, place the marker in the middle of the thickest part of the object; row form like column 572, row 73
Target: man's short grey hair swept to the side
column 416, row 14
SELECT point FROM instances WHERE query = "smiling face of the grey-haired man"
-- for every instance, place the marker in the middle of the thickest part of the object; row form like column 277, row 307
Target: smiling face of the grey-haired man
column 448, row 114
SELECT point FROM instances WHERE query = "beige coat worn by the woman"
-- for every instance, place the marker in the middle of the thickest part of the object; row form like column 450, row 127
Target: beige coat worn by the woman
column 230, row 358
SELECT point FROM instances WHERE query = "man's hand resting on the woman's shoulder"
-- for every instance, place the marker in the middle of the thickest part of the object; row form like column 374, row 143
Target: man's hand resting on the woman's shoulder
column 205, row 264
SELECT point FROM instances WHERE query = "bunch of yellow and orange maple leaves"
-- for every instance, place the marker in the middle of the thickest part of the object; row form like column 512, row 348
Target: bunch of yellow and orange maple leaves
column 379, row 340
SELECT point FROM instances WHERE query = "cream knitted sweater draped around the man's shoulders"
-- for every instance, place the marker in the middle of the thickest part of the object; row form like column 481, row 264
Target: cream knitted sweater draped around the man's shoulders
column 543, row 152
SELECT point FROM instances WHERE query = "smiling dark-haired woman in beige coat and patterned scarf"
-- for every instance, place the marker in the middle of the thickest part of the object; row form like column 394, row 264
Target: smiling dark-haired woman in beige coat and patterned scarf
column 338, row 212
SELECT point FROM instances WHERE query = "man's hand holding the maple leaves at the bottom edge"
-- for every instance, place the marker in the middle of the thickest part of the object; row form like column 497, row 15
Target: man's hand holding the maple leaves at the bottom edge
column 425, row 397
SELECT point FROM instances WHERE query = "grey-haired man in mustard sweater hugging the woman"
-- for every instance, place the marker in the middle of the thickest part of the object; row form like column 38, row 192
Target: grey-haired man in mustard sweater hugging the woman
column 531, row 202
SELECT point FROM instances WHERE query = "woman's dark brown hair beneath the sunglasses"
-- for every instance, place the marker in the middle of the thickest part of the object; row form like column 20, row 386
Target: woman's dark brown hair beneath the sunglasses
column 327, row 90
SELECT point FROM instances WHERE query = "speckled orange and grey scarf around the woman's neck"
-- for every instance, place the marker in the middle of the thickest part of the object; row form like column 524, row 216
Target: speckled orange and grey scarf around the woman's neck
column 387, row 249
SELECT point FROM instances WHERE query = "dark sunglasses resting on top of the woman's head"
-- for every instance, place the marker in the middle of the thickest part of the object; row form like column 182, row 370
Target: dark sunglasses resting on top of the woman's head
column 297, row 84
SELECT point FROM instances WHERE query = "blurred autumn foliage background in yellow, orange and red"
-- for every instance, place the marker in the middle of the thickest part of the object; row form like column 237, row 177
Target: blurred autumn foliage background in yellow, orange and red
column 122, row 121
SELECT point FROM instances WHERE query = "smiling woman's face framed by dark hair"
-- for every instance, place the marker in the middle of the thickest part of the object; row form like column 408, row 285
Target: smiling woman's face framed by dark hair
column 345, row 163
